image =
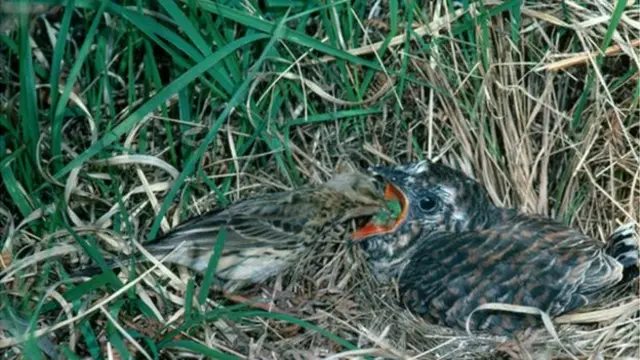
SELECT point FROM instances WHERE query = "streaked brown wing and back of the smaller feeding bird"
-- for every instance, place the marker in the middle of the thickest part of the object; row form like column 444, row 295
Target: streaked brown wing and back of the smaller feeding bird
column 279, row 220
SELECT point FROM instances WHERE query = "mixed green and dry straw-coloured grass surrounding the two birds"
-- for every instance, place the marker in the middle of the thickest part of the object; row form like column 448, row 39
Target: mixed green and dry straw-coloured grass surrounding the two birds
column 118, row 120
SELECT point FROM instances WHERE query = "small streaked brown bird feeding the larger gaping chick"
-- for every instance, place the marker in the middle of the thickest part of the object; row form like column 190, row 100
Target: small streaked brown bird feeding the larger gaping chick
column 266, row 234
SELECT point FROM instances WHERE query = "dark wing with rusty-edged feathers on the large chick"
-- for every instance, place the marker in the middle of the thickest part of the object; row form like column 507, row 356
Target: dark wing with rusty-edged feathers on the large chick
column 450, row 275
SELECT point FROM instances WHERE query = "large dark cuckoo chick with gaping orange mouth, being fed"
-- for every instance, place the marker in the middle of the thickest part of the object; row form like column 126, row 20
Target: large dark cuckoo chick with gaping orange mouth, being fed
column 453, row 250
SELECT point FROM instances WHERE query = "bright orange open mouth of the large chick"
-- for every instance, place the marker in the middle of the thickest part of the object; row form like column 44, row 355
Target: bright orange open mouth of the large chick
column 391, row 223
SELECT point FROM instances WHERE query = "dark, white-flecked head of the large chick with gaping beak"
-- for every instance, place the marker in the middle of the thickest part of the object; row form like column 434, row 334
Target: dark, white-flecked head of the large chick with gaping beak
column 433, row 197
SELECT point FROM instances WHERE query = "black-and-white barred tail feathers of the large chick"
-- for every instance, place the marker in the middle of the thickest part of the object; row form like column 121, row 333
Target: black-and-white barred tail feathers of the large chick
column 624, row 245
